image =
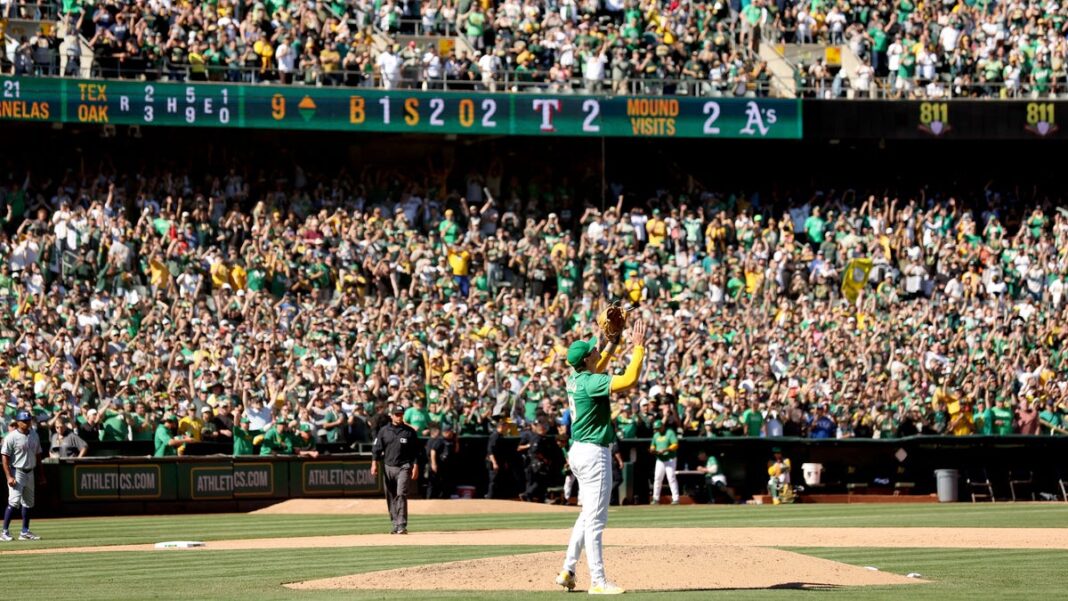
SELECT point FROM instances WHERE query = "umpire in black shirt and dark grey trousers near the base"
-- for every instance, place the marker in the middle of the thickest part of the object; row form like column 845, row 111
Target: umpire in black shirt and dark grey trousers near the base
column 399, row 449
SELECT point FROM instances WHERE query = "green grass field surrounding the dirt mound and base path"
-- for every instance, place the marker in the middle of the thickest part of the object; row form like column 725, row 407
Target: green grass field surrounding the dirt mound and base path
column 956, row 575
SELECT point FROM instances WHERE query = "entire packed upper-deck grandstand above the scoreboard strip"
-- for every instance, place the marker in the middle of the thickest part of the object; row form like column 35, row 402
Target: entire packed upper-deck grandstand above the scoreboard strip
column 724, row 49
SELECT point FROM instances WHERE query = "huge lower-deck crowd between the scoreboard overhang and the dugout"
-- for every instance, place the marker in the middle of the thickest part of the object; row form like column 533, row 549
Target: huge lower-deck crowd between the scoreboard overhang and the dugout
column 289, row 310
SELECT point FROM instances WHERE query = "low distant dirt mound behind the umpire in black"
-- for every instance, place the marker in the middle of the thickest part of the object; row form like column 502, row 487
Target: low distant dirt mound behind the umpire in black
column 416, row 508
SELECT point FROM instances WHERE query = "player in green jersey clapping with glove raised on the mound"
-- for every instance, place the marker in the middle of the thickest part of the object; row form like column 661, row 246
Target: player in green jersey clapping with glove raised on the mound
column 592, row 435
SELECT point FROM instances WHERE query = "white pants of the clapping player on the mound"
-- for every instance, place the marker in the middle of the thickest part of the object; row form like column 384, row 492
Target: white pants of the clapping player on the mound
column 592, row 467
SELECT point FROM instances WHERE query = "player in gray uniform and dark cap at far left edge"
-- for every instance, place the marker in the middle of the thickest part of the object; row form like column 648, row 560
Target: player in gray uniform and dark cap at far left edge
column 22, row 454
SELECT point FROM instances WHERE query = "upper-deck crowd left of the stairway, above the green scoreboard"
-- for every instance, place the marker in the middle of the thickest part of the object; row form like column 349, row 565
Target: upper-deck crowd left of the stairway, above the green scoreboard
column 558, row 45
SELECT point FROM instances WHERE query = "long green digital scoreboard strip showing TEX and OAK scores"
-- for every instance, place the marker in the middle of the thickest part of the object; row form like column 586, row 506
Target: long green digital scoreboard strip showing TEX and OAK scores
column 357, row 109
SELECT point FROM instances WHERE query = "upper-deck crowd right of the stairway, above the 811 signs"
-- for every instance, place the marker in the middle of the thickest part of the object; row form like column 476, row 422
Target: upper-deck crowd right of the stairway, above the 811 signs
column 939, row 50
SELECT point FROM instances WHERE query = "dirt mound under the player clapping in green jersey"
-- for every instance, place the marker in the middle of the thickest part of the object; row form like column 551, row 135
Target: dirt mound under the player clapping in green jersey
column 634, row 568
